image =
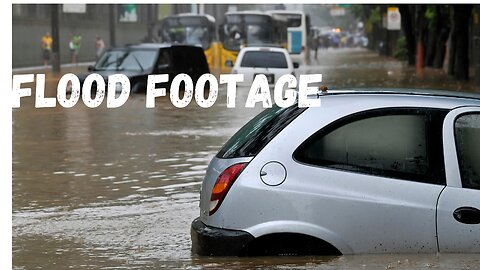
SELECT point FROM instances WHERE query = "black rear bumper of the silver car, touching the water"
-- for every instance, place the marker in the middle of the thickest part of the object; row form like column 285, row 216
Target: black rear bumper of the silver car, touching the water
column 211, row 241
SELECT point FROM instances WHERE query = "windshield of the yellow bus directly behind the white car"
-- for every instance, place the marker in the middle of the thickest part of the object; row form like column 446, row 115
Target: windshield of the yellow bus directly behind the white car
column 242, row 30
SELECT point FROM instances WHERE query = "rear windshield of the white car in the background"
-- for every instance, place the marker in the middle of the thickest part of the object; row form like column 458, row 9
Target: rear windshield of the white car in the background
column 264, row 59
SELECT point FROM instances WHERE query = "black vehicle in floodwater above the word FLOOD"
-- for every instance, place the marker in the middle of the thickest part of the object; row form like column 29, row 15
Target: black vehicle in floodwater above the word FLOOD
column 139, row 61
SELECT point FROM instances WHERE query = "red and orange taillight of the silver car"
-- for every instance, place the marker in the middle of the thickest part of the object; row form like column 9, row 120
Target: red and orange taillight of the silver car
column 222, row 185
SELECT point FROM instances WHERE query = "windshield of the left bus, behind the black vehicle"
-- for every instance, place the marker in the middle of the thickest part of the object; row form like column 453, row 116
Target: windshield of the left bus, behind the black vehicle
column 187, row 30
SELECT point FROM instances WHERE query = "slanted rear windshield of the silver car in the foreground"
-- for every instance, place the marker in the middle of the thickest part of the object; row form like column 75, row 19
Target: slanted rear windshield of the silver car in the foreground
column 259, row 131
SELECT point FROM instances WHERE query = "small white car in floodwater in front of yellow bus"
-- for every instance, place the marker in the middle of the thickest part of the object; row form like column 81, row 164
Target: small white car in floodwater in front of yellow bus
column 273, row 62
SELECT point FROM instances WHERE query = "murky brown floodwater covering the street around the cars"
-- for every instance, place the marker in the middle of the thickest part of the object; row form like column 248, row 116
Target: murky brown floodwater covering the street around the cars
column 117, row 188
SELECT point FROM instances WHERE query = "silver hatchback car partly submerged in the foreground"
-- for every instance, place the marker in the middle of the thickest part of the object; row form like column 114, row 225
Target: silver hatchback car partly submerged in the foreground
column 367, row 172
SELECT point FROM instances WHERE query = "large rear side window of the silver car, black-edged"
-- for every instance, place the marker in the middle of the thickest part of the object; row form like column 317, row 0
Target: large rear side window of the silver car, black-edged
column 395, row 143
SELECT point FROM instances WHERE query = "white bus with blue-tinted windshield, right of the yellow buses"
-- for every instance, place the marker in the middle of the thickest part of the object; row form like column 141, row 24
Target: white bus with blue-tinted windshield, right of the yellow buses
column 298, row 27
